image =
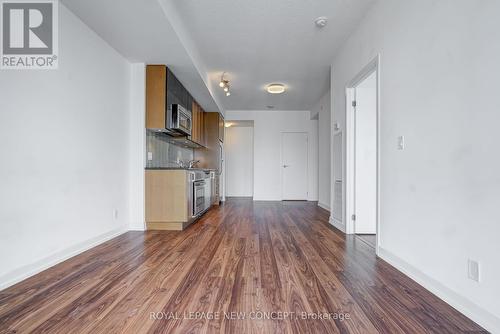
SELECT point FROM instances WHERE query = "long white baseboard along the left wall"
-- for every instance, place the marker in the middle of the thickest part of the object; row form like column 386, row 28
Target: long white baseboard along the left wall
column 24, row 272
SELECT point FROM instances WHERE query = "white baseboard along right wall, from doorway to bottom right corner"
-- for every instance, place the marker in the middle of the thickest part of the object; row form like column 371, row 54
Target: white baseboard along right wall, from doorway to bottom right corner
column 481, row 316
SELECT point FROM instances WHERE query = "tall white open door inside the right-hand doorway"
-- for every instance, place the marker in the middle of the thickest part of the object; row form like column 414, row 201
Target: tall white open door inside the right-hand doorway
column 365, row 174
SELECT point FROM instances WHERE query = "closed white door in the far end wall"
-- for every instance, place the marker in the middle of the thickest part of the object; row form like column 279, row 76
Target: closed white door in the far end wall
column 294, row 165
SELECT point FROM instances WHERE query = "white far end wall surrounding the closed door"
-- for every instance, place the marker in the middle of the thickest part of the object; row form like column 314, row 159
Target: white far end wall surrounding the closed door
column 268, row 126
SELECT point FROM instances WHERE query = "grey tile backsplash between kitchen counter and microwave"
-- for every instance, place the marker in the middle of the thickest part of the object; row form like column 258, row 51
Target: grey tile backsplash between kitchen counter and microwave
column 164, row 152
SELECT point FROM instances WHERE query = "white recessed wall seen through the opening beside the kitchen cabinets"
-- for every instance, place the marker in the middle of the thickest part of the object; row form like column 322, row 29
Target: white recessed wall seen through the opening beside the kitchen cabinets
column 238, row 143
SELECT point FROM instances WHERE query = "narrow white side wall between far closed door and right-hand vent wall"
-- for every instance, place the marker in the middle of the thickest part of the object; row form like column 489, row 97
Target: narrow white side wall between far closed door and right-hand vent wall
column 323, row 109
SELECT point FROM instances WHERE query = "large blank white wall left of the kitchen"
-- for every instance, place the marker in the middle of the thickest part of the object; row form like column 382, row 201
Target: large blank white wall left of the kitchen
column 64, row 149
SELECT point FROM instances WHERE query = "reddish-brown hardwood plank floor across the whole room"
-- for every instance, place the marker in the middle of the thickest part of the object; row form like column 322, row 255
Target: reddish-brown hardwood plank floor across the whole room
column 244, row 257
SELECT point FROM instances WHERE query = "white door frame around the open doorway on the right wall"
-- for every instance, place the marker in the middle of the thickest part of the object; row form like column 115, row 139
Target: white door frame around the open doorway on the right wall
column 372, row 67
